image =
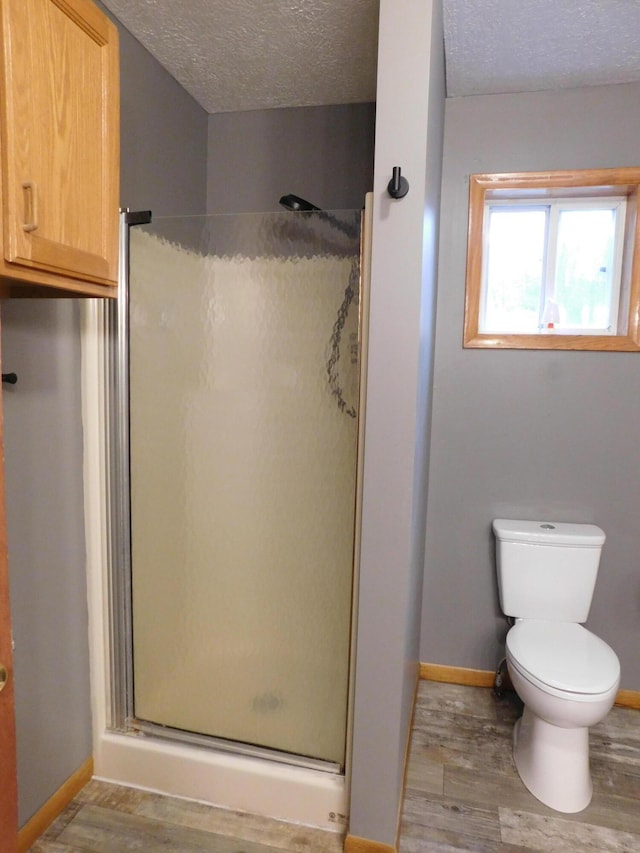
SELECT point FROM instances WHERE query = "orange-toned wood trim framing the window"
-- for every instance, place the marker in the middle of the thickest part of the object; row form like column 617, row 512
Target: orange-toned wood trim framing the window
column 538, row 186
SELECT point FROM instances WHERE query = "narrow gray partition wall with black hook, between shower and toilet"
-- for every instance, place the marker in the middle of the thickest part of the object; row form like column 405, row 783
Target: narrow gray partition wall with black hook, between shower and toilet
column 410, row 111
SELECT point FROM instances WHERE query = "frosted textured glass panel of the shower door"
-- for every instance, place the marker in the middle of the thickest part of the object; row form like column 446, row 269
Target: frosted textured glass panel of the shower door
column 243, row 393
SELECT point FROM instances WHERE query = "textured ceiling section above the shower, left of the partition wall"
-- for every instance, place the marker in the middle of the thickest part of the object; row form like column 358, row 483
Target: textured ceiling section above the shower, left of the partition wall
column 256, row 54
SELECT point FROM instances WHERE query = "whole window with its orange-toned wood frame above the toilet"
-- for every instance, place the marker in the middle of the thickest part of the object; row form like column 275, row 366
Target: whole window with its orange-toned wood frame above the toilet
column 553, row 261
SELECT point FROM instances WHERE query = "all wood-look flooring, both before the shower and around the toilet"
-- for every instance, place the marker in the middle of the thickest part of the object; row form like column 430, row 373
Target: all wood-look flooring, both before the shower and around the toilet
column 462, row 793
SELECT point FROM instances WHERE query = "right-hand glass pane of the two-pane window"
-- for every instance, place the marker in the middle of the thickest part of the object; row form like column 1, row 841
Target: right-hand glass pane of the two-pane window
column 584, row 268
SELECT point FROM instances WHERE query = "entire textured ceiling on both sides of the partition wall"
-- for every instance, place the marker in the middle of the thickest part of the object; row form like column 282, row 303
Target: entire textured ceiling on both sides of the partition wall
column 256, row 54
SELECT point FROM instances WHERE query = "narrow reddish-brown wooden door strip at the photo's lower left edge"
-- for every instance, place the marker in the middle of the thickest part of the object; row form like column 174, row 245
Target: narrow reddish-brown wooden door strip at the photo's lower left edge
column 8, row 777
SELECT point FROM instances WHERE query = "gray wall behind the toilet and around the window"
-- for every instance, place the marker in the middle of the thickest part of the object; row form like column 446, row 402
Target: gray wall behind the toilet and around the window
column 522, row 434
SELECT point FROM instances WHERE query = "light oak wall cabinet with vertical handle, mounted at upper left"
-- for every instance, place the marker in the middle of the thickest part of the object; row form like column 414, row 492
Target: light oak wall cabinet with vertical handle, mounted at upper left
column 60, row 138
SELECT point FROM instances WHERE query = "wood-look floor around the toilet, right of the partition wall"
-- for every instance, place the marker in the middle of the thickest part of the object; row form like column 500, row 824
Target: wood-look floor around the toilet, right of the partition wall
column 463, row 792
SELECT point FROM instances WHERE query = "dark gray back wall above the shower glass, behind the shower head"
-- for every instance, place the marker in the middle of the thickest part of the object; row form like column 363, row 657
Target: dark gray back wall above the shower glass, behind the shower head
column 323, row 154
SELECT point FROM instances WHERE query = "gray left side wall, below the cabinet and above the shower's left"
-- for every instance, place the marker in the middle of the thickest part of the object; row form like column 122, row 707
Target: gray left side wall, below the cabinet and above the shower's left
column 164, row 143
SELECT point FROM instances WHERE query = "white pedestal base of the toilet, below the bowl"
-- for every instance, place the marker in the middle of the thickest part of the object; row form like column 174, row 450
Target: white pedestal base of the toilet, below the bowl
column 553, row 762
